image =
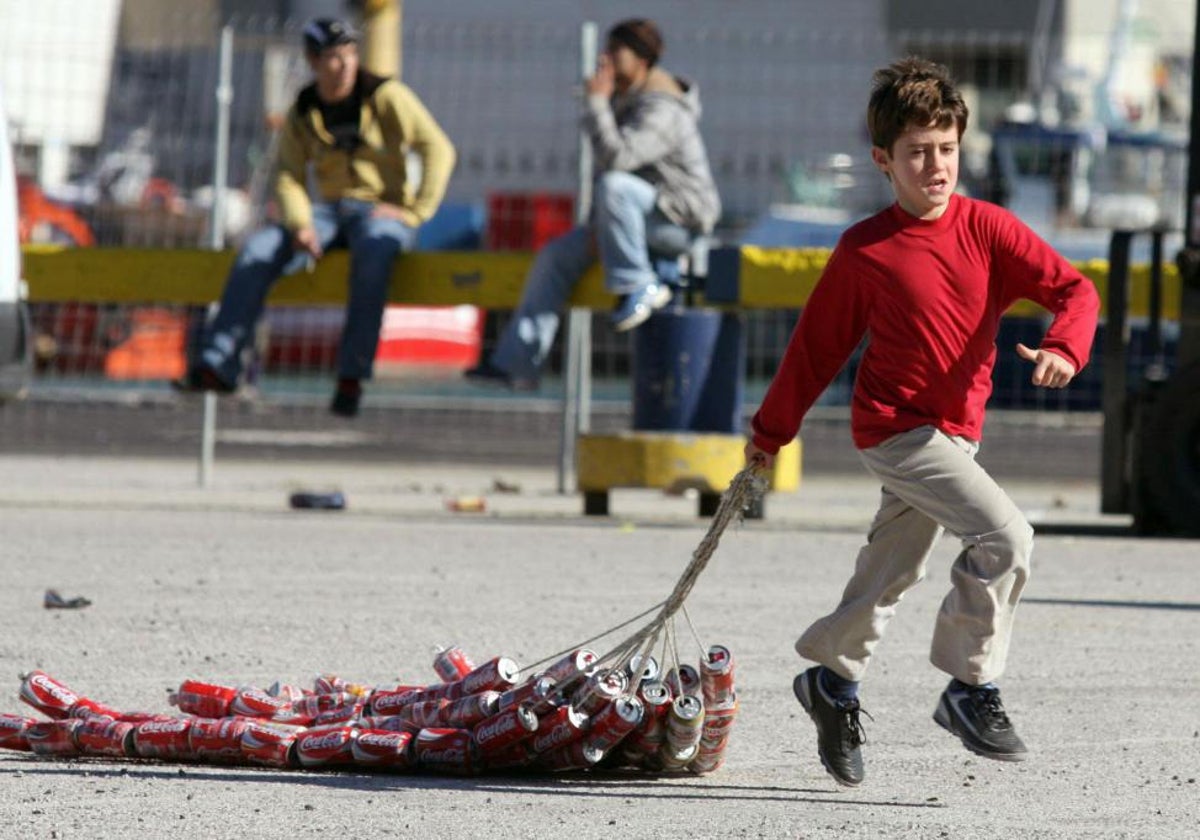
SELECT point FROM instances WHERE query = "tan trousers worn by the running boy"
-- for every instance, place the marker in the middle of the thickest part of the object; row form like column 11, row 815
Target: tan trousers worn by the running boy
column 932, row 484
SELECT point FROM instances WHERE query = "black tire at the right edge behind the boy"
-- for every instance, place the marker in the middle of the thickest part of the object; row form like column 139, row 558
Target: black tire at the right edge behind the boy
column 1171, row 473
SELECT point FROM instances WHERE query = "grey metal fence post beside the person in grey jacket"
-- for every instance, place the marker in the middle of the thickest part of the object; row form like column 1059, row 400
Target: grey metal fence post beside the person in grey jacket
column 577, row 415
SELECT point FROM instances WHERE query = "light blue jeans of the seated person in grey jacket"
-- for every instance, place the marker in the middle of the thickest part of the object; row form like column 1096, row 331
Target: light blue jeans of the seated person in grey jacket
column 625, row 219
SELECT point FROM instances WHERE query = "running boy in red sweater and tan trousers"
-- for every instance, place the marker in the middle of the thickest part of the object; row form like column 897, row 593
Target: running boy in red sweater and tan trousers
column 927, row 280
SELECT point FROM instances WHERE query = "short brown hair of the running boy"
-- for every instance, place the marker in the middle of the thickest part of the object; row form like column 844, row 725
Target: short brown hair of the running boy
column 913, row 92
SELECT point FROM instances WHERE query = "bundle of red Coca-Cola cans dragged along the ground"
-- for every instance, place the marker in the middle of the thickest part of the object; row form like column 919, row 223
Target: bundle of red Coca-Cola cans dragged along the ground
column 573, row 716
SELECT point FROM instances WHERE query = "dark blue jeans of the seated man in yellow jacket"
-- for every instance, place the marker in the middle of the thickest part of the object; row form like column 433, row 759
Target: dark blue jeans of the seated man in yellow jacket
column 271, row 254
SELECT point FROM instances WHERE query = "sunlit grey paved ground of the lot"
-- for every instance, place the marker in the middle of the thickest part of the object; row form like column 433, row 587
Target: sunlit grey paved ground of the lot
column 230, row 585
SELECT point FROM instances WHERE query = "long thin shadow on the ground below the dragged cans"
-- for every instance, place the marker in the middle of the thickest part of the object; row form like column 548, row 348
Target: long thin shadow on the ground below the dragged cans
column 619, row 785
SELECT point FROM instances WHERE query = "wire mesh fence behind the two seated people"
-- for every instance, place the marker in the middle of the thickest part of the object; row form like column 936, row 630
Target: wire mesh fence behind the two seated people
column 784, row 95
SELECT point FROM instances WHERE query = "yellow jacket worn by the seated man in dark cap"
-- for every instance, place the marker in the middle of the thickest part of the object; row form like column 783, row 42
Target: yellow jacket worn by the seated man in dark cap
column 393, row 121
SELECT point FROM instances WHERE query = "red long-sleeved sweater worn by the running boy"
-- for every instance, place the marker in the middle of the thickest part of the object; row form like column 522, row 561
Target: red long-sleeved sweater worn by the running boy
column 929, row 296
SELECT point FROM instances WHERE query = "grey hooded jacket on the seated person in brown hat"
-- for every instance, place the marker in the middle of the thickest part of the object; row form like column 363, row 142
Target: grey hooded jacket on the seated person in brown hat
column 653, row 134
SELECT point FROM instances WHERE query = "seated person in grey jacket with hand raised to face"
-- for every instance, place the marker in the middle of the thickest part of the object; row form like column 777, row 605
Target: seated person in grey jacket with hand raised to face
column 655, row 184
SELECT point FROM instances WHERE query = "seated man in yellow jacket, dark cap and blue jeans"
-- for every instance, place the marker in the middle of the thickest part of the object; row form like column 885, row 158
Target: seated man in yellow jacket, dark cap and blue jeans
column 355, row 130
